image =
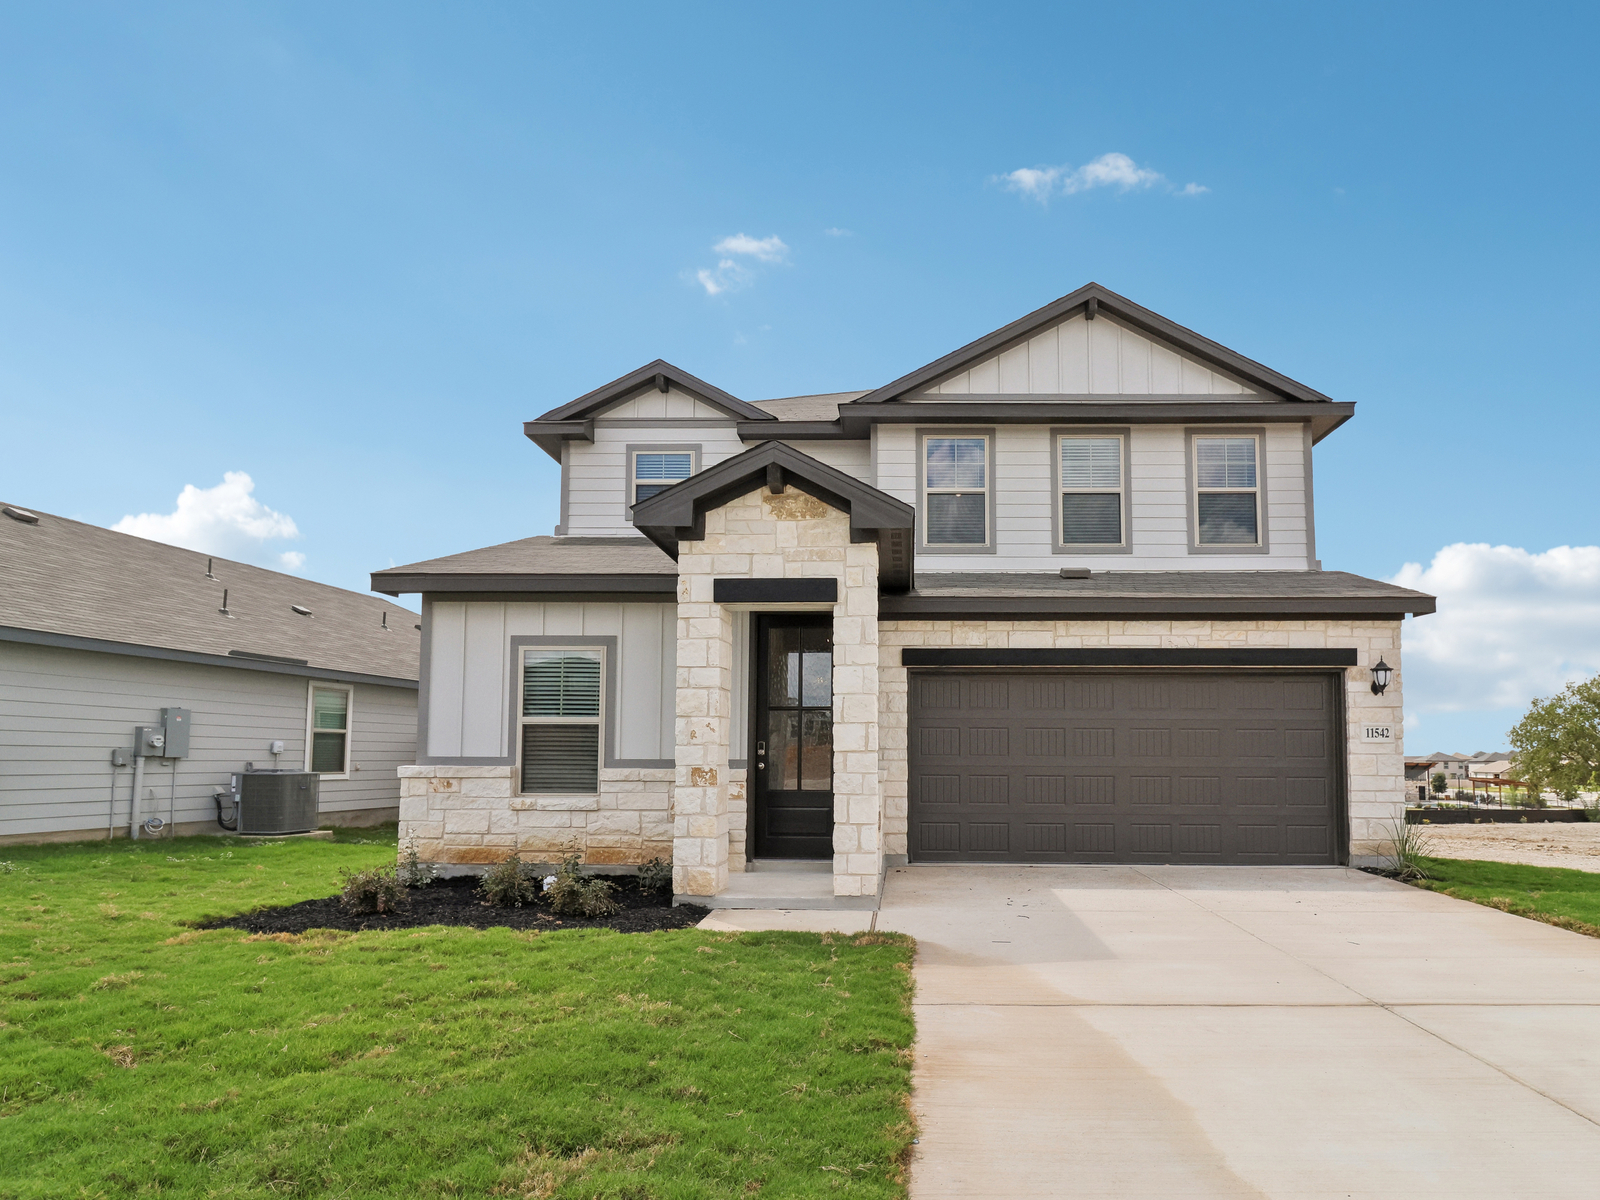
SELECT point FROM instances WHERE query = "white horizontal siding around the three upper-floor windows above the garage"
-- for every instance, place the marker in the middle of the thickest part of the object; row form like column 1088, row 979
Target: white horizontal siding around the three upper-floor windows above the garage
column 1023, row 494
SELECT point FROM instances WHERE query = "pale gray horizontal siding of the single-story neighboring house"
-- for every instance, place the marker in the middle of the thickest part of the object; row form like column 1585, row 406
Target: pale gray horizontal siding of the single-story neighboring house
column 63, row 713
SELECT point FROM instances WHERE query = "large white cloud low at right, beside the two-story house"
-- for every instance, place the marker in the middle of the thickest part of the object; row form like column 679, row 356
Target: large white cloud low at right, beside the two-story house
column 1510, row 626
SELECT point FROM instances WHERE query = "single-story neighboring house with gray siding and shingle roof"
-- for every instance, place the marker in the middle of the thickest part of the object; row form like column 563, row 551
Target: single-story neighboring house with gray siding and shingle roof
column 100, row 631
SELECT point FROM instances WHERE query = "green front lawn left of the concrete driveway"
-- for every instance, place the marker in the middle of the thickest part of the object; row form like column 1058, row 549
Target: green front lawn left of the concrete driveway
column 140, row 1057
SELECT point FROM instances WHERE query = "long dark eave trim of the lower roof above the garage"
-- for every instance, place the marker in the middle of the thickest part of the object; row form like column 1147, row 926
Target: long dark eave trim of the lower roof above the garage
column 1145, row 607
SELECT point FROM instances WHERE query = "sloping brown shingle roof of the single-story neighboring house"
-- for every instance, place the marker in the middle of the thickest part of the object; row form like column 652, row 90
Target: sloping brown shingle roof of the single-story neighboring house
column 81, row 586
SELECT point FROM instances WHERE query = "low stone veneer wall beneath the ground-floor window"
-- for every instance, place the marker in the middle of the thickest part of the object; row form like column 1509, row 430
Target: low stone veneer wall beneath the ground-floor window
column 473, row 817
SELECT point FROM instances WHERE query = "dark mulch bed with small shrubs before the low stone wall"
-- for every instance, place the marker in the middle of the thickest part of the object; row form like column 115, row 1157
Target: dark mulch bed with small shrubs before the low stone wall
column 455, row 902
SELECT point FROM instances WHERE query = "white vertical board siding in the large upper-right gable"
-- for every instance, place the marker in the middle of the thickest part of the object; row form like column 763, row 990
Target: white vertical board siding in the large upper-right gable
column 1084, row 358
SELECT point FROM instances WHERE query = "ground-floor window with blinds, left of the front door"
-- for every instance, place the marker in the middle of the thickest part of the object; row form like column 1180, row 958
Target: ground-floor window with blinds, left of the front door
column 561, row 721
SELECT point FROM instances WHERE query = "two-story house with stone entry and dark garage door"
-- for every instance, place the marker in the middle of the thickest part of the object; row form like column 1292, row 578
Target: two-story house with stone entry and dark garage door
column 1050, row 599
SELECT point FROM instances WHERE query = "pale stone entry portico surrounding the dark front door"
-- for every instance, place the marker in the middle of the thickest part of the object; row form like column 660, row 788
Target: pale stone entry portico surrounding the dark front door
column 767, row 537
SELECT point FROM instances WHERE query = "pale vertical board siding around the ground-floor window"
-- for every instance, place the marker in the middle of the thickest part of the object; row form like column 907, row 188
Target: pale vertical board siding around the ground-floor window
column 471, row 674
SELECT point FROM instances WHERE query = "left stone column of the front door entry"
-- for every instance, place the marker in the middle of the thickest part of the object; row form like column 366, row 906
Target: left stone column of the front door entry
column 705, row 726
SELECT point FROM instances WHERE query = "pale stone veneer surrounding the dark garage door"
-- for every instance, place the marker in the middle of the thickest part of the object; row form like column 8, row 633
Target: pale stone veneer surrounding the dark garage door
column 1377, row 775
